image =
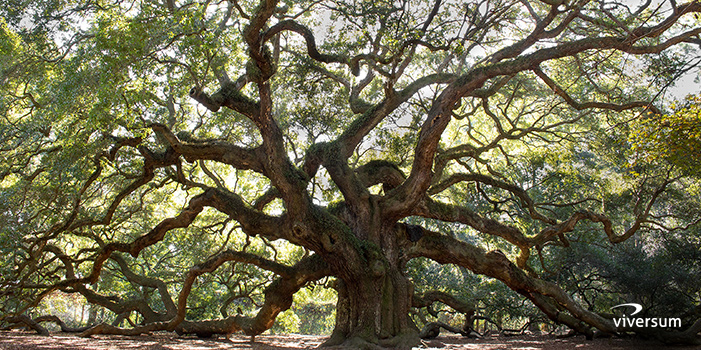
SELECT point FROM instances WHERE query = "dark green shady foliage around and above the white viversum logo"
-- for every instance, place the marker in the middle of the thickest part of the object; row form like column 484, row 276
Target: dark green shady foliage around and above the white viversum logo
column 659, row 271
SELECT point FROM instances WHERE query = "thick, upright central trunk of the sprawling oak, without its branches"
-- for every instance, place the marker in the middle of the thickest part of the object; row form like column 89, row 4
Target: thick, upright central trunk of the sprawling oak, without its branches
column 374, row 295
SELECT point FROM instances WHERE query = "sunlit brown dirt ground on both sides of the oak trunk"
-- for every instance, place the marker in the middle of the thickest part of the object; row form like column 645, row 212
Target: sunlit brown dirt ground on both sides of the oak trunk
column 161, row 341
